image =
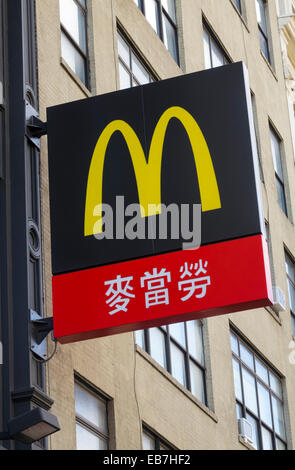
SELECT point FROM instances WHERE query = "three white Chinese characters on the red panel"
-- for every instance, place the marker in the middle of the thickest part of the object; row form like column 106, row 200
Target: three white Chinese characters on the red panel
column 193, row 281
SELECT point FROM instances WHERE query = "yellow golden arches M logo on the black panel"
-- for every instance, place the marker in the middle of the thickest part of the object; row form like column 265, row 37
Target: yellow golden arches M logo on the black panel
column 148, row 174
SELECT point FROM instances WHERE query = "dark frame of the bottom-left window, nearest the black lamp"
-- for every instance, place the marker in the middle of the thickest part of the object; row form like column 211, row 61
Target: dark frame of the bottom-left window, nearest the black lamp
column 82, row 421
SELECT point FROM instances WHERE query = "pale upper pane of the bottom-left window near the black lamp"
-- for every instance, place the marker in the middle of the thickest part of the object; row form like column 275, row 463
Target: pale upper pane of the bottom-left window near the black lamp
column 91, row 408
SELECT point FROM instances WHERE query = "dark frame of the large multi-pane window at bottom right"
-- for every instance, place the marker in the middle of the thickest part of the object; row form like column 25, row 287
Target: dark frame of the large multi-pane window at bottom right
column 258, row 380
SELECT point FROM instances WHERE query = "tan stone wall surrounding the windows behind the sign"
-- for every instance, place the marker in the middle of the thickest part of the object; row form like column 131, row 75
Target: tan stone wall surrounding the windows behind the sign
column 112, row 364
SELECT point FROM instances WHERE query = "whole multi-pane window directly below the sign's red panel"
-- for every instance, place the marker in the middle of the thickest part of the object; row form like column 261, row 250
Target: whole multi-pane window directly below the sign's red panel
column 179, row 349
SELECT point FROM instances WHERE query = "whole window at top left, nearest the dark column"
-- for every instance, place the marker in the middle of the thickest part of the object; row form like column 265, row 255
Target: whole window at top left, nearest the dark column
column 73, row 36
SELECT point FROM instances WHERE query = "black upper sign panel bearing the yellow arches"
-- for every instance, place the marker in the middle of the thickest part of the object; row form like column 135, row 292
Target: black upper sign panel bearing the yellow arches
column 195, row 135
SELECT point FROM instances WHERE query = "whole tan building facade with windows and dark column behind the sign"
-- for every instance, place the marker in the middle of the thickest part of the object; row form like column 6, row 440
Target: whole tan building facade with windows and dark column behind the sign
column 185, row 386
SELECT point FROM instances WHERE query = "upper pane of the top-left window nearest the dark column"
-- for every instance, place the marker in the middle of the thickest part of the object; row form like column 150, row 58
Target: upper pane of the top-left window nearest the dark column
column 73, row 19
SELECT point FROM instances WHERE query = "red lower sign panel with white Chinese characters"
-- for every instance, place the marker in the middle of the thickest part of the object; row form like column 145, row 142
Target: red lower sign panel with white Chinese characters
column 180, row 286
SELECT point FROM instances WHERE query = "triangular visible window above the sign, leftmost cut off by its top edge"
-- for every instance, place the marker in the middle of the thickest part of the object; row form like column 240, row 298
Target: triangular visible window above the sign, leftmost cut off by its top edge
column 132, row 72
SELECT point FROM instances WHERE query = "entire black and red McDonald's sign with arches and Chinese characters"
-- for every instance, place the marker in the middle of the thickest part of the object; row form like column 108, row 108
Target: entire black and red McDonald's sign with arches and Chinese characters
column 185, row 142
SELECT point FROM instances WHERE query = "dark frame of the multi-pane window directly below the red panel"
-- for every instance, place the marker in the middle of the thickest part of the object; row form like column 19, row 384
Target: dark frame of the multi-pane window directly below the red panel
column 188, row 357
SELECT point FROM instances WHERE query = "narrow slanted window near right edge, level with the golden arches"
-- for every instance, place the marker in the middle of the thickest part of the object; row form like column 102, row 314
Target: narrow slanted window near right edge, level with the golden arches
column 277, row 161
